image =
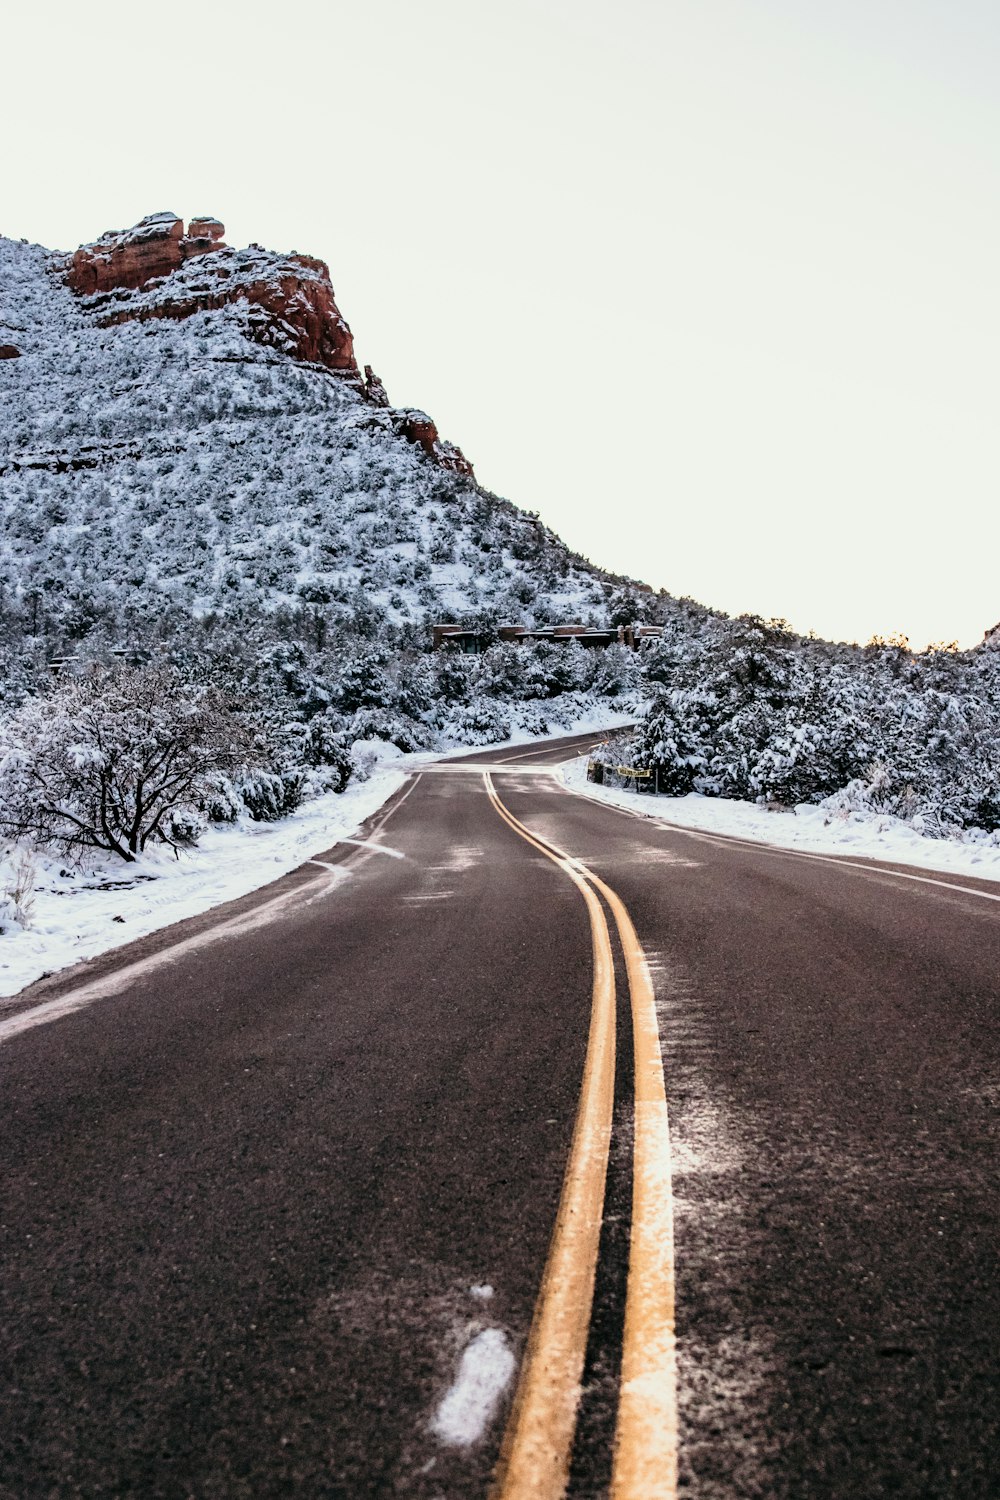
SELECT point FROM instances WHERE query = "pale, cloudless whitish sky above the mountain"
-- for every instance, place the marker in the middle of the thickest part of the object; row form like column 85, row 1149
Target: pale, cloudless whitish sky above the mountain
column 710, row 284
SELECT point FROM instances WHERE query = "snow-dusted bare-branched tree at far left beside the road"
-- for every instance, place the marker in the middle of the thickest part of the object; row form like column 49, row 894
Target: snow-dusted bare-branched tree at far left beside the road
column 104, row 761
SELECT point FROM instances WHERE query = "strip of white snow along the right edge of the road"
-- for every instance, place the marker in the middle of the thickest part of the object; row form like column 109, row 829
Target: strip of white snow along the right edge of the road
column 812, row 829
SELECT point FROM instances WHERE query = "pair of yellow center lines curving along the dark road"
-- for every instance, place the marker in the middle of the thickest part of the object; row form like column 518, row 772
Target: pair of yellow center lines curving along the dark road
column 537, row 1445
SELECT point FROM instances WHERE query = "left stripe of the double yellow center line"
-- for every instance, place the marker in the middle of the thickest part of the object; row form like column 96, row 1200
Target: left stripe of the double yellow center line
column 537, row 1444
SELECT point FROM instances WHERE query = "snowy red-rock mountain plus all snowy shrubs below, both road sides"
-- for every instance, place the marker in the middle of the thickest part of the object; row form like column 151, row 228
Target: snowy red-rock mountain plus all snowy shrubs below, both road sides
column 233, row 550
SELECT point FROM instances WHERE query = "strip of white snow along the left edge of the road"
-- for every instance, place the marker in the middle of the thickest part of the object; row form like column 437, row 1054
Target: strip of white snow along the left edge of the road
column 79, row 916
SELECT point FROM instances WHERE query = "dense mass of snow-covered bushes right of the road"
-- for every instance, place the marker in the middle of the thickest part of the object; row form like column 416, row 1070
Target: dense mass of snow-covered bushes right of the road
column 747, row 709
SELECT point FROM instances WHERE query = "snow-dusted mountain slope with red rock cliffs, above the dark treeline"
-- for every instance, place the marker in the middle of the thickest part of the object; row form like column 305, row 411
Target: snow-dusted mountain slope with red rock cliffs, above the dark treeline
column 185, row 434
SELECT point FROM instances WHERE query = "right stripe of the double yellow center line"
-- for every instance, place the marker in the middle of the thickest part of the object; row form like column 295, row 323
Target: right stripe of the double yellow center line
column 647, row 1433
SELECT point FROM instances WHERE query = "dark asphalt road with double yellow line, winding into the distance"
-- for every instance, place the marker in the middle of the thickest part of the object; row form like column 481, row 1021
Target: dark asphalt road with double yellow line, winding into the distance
column 365, row 1186
